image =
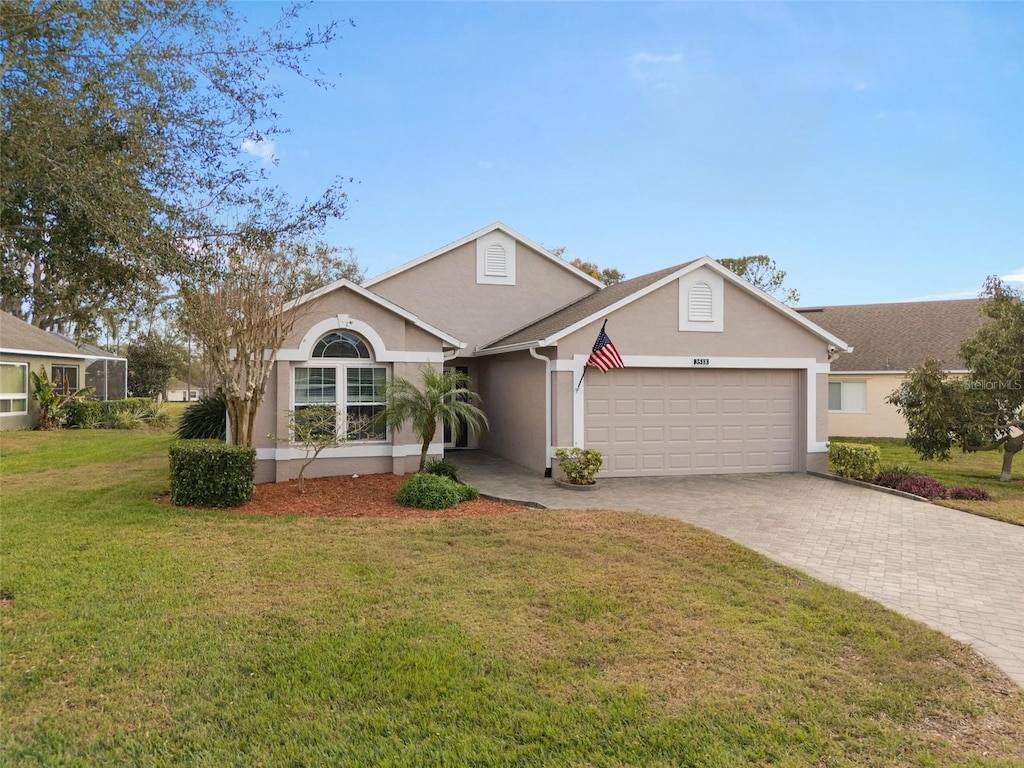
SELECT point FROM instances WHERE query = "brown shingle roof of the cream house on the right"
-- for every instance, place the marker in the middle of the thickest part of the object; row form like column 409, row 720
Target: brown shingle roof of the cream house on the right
column 898, row 337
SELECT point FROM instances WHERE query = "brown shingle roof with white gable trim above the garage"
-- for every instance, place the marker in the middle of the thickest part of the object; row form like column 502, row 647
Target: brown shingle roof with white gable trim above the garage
column 561, row 324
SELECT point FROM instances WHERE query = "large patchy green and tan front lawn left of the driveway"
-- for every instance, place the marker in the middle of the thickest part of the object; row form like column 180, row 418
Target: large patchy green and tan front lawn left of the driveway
column 140, row 634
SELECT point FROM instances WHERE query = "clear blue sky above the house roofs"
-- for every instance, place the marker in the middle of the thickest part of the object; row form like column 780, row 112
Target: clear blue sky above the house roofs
column 876, row 151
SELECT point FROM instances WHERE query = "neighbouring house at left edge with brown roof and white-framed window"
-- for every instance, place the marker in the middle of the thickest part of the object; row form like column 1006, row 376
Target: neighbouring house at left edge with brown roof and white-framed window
column 70, row 366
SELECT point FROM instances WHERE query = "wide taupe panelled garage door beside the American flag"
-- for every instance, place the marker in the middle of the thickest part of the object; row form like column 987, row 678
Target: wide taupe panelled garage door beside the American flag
column 651, row 421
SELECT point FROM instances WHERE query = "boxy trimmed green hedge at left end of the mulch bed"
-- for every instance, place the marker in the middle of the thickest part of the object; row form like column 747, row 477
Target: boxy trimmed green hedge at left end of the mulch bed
column 211, row 474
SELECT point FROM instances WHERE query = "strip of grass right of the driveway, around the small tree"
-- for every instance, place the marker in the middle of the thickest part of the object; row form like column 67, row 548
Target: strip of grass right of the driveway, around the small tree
column 980, row 471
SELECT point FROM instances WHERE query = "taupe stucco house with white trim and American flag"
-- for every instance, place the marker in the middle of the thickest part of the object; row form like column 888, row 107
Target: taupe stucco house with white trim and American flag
column 720, row 377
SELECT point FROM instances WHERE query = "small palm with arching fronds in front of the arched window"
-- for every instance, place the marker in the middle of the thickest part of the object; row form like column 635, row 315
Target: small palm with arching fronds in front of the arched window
column 445, row 398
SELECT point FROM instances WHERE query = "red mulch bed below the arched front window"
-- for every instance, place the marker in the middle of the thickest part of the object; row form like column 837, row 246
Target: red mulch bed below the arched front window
column 363, row 496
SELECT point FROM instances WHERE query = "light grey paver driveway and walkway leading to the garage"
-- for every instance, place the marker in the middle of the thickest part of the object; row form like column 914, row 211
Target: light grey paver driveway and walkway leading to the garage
column 960, row 574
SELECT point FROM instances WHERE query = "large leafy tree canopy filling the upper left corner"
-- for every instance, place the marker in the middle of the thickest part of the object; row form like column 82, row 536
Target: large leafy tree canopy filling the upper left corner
column 122, row 142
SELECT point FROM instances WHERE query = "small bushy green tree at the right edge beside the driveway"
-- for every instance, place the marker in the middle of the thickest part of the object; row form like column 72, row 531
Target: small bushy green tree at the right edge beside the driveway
column 985, row 411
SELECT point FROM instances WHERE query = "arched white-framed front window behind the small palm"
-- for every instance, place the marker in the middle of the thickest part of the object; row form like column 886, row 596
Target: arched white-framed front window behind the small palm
column 343, row 375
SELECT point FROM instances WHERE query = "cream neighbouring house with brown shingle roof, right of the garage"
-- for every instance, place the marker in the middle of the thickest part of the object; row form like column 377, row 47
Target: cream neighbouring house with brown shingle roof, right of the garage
column 888, row 340
